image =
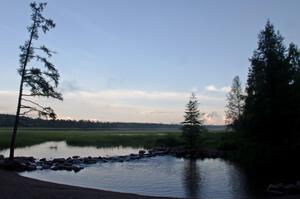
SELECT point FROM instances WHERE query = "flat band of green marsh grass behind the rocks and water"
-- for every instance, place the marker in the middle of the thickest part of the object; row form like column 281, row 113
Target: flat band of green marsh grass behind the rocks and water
column 100, row 138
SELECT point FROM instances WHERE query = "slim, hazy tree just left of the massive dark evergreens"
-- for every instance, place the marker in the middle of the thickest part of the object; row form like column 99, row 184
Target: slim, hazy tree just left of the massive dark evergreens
column 235, row 104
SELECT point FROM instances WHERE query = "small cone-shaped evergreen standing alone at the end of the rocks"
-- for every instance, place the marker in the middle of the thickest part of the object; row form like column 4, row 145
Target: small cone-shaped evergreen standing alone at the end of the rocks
column 192, row 124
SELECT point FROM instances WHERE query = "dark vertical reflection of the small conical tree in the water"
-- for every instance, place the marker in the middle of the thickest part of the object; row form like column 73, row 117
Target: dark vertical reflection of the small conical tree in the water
column 191, row 178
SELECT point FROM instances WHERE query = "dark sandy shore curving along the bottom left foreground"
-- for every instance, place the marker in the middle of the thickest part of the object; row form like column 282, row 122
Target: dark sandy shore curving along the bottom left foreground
column 13, row 186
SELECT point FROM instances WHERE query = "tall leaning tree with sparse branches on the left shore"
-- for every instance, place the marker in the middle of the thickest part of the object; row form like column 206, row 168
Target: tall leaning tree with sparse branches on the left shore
column 40, row 82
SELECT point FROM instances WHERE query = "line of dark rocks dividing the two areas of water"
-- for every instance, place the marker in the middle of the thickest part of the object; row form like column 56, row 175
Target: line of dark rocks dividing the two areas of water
column 77, row 163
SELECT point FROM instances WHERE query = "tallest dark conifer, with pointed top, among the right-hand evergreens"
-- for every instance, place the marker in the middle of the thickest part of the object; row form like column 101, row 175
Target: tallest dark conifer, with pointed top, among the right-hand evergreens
column 268, row 105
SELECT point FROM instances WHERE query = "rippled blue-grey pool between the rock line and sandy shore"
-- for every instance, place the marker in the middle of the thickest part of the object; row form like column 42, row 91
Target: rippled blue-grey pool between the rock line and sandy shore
column 159, row 176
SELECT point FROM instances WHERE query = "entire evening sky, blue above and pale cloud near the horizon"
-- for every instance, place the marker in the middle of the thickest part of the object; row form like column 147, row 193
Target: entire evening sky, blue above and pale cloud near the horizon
column 139, row 61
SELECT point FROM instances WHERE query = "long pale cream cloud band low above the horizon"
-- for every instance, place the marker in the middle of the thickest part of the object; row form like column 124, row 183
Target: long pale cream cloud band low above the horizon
column 126, row 105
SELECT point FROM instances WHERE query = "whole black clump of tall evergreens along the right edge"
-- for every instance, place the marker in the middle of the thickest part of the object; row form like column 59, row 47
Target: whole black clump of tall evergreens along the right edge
column 270, row 120
